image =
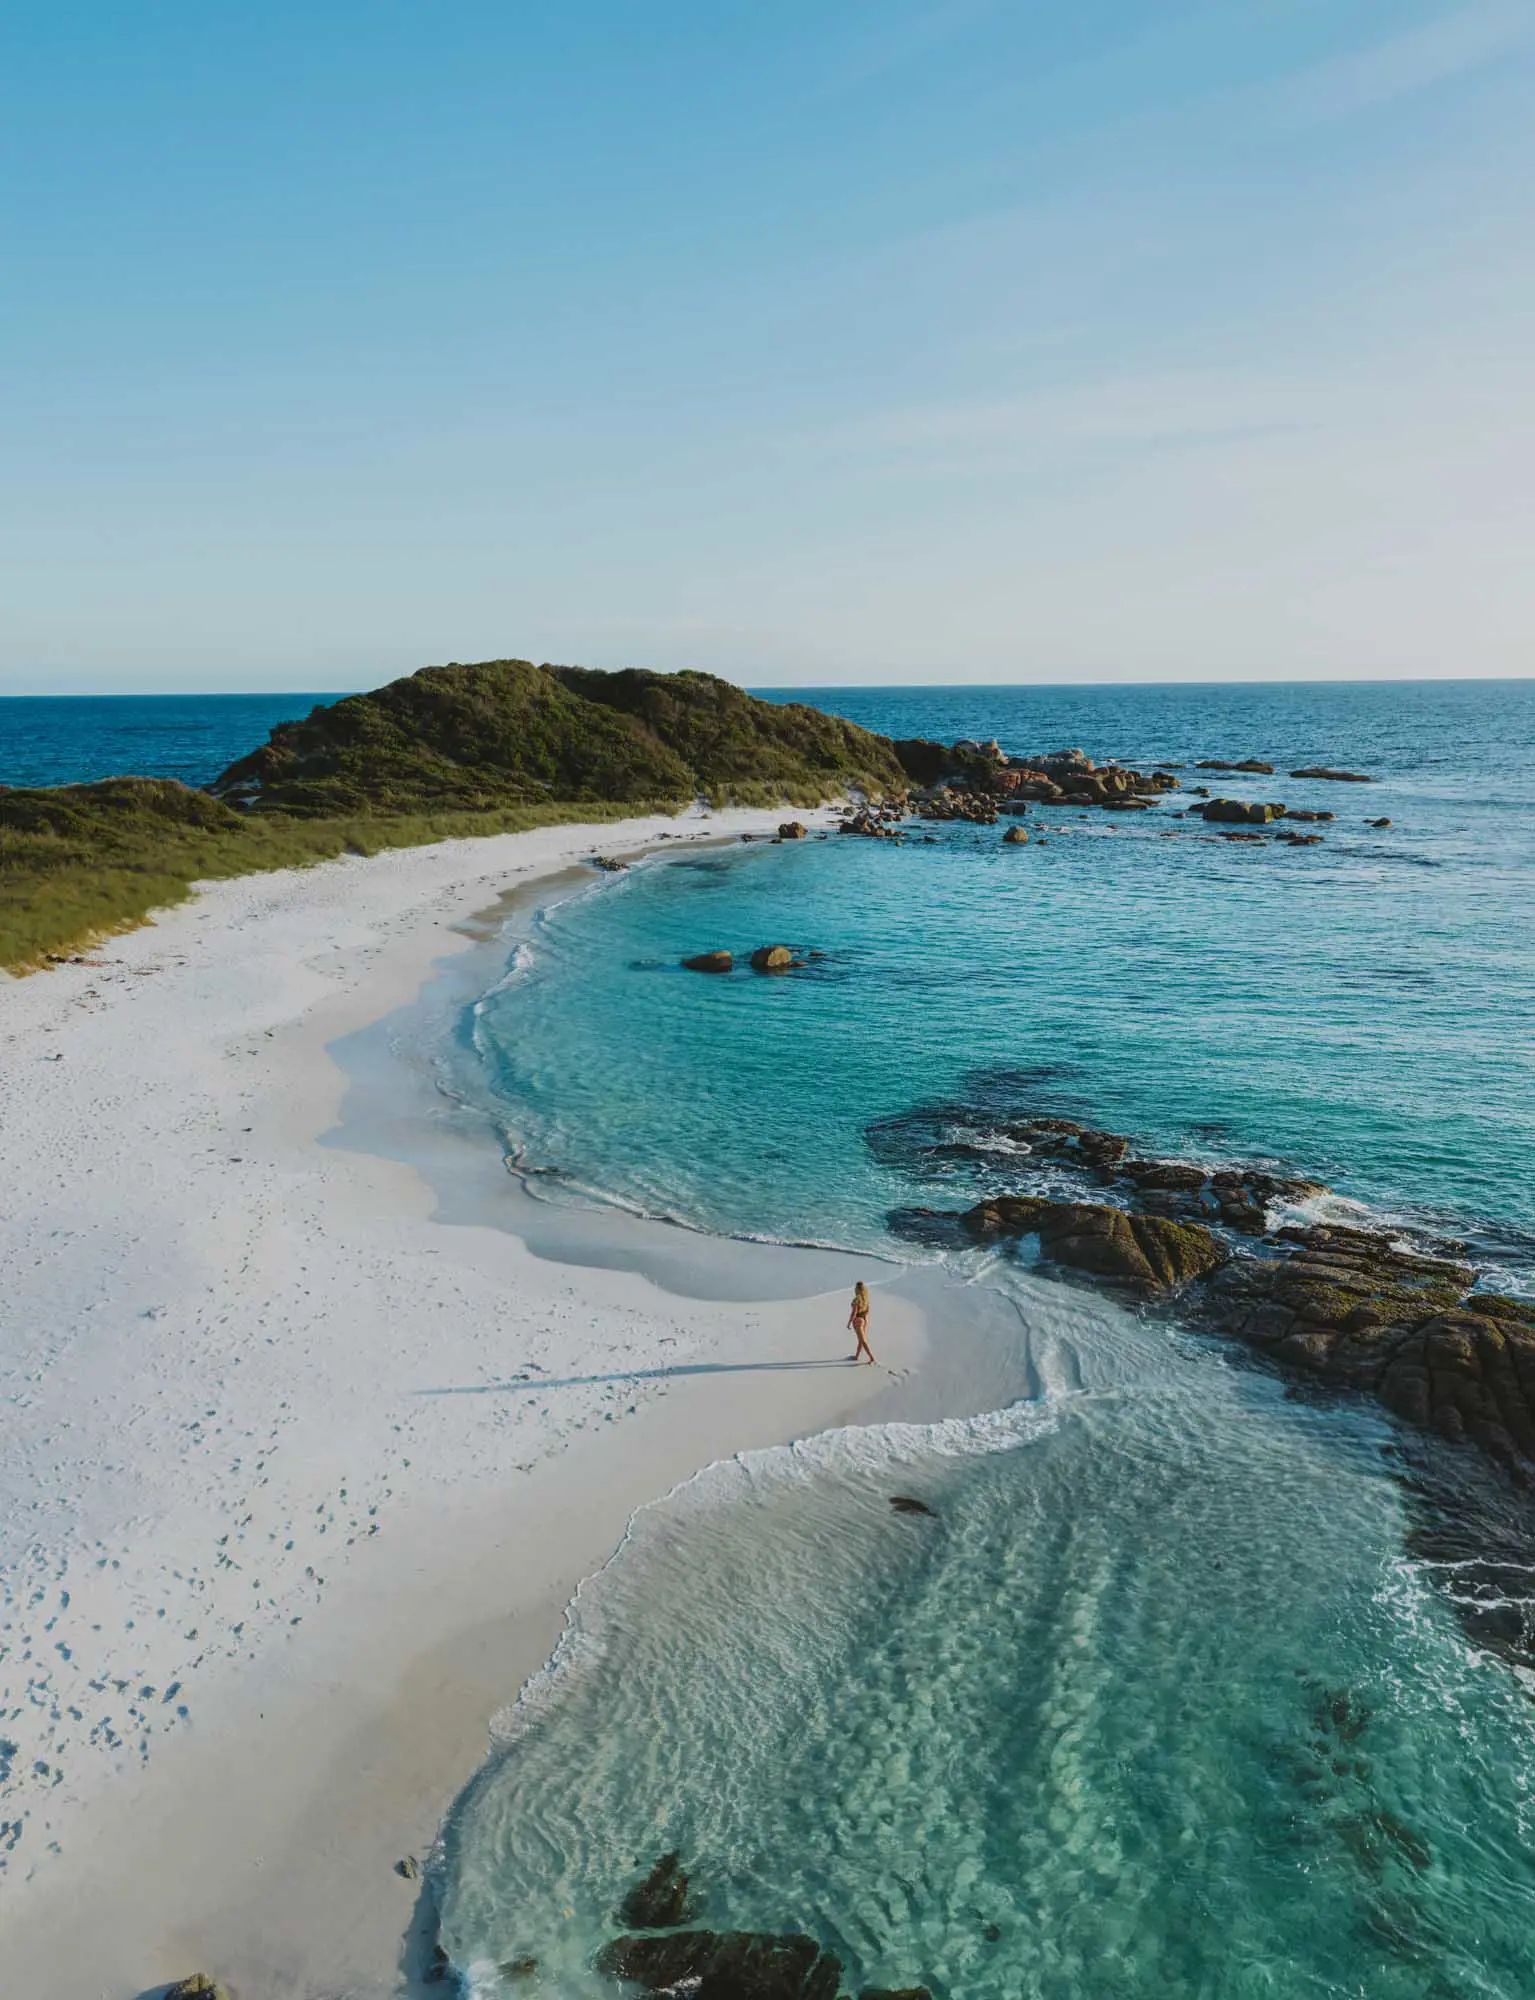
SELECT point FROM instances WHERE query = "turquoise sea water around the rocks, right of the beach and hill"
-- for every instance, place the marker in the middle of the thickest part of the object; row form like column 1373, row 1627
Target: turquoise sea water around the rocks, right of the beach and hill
column 1160, row 1705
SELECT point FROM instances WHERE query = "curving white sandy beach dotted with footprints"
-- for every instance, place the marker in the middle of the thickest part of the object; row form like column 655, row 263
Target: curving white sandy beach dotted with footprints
column 263, row 1581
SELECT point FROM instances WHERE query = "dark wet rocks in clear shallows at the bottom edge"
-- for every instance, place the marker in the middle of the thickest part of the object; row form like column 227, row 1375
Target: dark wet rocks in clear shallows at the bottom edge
column 719, row 1965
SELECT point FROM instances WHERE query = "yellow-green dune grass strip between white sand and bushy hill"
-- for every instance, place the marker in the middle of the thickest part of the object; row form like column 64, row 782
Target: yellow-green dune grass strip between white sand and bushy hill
column 81, row 863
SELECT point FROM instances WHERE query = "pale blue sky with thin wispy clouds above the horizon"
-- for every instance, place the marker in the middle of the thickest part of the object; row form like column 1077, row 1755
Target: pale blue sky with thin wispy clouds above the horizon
column 806, row 343
